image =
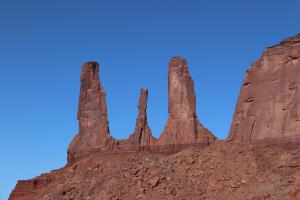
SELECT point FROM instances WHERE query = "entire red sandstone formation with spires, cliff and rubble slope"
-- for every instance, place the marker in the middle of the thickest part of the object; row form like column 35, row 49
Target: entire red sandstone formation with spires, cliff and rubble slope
column 187, row 161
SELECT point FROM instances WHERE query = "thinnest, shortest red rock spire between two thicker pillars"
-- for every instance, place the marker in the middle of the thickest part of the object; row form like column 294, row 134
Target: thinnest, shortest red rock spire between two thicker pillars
column 142, row 135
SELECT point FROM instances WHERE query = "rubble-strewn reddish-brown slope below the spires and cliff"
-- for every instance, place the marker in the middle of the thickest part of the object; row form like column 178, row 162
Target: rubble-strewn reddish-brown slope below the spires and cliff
column 219, row 172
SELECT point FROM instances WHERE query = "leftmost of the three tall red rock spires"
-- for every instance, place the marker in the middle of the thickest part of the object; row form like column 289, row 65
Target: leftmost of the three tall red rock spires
column 92, row 112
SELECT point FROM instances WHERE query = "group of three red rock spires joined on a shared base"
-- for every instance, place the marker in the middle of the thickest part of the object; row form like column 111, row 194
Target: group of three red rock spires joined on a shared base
column 182, row 130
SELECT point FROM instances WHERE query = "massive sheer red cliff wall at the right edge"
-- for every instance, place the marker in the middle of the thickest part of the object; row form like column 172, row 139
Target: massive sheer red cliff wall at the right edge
column 268, row 108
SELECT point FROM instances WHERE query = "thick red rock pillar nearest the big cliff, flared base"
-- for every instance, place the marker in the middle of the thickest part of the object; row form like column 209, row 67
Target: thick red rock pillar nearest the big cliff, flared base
column 183, row 126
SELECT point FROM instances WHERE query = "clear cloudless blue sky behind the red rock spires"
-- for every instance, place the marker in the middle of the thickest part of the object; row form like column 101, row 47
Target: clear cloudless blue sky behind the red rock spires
column 44, row 43
